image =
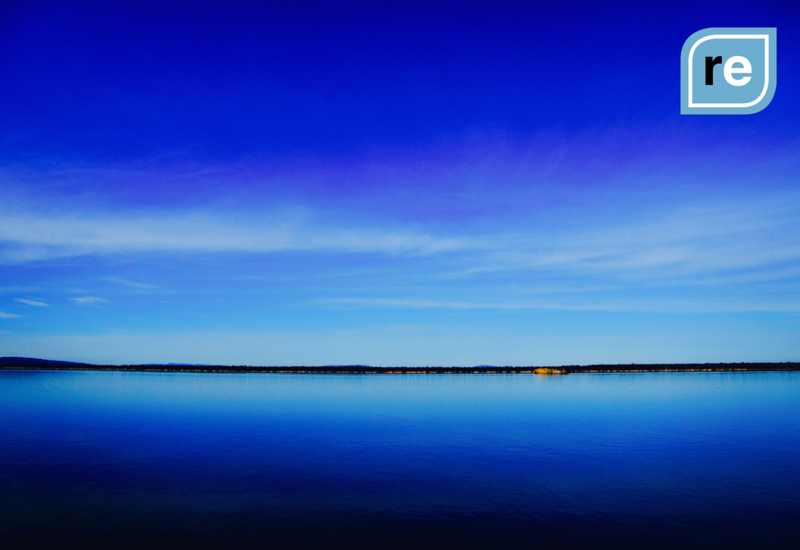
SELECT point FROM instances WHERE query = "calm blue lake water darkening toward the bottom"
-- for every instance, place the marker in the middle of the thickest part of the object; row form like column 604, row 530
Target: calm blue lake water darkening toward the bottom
column 108, row 459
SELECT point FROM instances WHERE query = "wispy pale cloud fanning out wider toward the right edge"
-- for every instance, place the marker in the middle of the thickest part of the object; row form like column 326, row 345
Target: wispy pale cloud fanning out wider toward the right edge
column 696, row 242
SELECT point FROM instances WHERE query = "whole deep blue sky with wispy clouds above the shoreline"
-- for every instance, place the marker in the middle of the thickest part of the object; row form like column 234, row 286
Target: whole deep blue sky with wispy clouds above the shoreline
column 470, row 183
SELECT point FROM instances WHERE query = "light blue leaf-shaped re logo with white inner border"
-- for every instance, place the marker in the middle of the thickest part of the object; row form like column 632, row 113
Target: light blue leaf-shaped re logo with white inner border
column 728, row 71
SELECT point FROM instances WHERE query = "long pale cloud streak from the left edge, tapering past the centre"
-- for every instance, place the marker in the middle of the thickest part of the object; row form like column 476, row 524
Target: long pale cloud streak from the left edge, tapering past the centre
column 37, row 237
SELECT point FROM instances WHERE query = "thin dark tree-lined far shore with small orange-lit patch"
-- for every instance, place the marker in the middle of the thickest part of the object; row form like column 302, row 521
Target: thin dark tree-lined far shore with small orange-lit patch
column 40, row 364
